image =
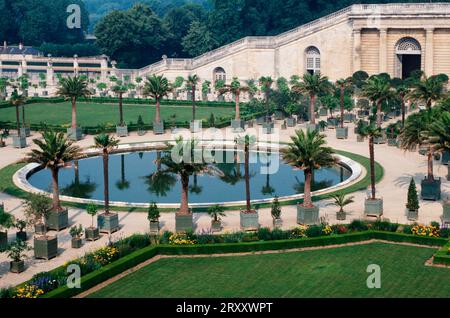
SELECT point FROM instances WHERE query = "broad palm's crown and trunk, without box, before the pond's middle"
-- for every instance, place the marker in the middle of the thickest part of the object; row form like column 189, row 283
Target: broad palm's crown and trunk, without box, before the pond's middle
column 184, row 168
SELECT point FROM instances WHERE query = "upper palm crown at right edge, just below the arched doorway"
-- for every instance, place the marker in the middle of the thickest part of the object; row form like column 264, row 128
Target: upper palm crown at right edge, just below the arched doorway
column 429, row 89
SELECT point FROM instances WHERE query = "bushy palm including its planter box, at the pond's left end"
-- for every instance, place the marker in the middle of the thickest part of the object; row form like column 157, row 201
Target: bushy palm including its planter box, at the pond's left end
column 53, row 152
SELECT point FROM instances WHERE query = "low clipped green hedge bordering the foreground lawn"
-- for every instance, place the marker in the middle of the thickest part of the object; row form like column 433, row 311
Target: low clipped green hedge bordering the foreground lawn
column 92, row 279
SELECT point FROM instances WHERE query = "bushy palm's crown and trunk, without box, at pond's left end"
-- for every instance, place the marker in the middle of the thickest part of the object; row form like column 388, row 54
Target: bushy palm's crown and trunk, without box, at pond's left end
column 53, row 152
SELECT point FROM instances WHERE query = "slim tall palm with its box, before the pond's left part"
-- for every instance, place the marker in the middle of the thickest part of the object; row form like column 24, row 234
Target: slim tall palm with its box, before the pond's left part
column 107, row 222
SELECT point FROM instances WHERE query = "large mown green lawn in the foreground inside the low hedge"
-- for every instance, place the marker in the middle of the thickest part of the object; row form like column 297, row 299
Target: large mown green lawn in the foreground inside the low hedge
column 337, row 272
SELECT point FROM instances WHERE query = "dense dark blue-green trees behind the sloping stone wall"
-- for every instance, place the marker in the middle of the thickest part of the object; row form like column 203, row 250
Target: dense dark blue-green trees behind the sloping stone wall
column 139, row 32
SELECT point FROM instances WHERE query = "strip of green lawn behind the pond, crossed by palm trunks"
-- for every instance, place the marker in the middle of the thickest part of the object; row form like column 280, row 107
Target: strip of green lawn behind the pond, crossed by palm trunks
column 90, row 114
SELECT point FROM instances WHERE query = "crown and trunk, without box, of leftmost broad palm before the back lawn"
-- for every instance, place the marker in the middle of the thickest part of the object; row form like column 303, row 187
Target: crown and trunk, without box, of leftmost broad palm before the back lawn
column 73, row 88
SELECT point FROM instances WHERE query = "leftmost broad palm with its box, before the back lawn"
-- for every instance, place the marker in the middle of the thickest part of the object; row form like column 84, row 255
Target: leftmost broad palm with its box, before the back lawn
column 74, row 88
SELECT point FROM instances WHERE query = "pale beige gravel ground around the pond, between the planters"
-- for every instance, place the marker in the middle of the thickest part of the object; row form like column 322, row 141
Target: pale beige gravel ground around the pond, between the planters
column 399, row 167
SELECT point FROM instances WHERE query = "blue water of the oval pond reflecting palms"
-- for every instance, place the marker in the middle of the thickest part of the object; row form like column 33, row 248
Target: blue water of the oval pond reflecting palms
column 131, row 179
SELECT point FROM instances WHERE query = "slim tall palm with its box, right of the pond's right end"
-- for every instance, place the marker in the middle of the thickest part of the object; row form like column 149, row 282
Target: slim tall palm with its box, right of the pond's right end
column 372, row 205
